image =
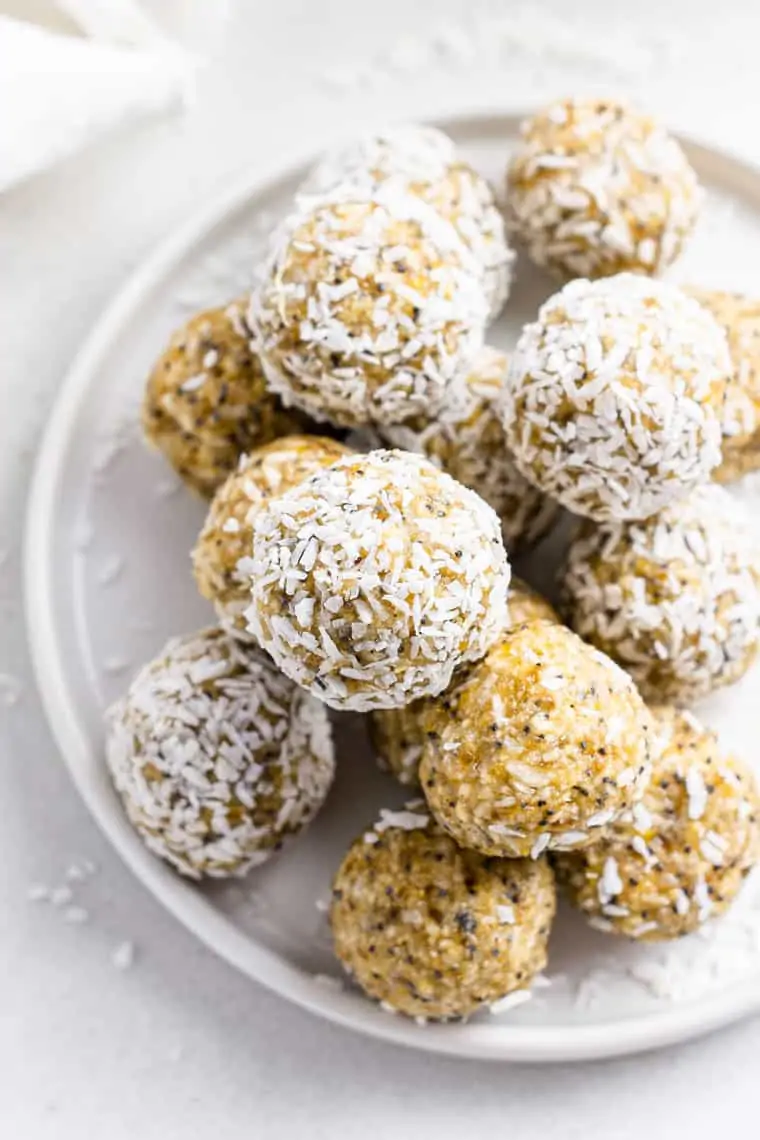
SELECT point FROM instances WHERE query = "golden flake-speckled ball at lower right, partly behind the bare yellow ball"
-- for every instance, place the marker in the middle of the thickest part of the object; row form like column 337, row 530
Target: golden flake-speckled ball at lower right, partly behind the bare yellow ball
column 681, row 857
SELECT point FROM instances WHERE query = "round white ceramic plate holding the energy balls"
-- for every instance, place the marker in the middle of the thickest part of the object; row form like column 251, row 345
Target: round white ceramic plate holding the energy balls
column 108, row 581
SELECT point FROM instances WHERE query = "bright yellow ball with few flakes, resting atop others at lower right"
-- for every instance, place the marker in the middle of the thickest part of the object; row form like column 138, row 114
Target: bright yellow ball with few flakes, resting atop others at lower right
column 544, row 744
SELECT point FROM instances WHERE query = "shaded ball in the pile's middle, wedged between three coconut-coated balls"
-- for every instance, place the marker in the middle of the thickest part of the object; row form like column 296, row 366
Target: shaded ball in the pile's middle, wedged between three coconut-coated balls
column 465, row 437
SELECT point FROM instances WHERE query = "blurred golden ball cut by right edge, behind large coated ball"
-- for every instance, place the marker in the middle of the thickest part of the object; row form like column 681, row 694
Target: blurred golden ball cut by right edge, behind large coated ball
column 740, row 317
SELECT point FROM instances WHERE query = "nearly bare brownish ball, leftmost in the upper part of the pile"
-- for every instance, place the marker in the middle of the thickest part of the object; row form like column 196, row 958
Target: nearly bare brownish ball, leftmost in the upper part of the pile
column 207, row 400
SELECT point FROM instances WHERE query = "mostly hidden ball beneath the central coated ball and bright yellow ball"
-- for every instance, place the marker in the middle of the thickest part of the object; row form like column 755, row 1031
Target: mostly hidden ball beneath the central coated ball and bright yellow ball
column 399, row 735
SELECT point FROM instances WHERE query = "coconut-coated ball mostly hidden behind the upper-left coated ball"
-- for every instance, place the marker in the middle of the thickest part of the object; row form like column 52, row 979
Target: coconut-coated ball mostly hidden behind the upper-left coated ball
column 426, row 162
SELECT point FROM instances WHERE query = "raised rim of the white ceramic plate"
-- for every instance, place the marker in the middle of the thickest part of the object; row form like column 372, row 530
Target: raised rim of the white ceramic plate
column 513, row 1043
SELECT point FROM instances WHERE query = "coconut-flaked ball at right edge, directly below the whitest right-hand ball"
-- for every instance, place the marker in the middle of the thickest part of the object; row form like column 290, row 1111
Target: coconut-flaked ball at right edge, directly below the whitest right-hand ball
column 675, row 600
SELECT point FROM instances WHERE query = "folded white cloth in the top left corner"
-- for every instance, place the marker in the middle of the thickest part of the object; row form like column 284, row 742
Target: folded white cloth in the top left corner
column 60, row 93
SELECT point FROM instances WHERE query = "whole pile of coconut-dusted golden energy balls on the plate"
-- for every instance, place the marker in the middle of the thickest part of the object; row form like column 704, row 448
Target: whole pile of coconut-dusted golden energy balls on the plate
column 380, row 582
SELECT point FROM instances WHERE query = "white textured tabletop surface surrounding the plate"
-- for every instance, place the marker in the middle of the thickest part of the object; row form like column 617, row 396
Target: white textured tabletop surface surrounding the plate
column 181, row 1046
